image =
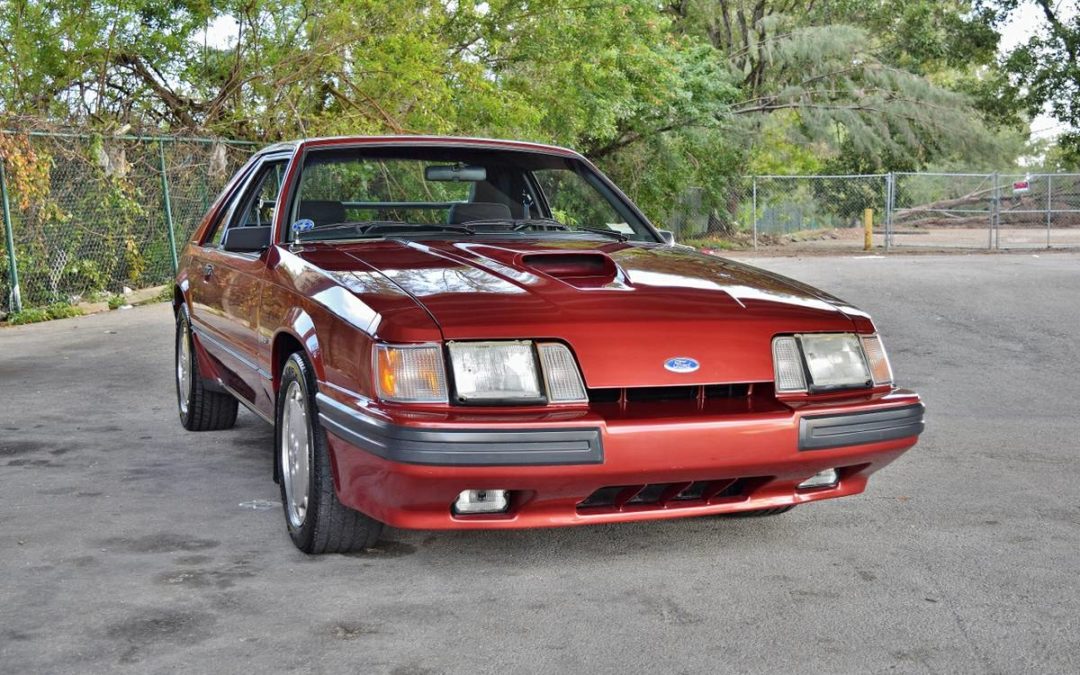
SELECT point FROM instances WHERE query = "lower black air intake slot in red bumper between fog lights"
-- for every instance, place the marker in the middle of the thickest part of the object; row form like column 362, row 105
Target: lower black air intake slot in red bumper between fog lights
column 667, row 495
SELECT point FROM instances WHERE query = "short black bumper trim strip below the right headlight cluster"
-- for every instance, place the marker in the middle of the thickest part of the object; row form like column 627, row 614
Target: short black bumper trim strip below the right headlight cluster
column 829, row 431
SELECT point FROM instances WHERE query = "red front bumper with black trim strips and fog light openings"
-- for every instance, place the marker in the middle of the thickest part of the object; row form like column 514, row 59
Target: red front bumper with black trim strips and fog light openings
column 408, row 471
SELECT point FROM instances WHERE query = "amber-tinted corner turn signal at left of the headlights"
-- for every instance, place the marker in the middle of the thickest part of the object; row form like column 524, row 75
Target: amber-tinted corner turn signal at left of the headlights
column 411, row 374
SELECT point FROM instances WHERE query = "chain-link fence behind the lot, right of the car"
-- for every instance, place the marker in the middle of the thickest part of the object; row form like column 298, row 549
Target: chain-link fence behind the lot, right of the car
column 906, row 210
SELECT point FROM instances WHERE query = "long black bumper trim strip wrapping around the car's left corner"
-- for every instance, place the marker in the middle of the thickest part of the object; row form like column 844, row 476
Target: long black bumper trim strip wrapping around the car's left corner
column 462, row 448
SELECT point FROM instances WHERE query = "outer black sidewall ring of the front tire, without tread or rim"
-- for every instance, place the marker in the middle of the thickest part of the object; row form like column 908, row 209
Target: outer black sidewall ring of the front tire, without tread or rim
column 296, row 370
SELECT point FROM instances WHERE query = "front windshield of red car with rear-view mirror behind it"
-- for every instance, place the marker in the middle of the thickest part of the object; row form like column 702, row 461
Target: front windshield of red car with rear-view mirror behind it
column 453, row 193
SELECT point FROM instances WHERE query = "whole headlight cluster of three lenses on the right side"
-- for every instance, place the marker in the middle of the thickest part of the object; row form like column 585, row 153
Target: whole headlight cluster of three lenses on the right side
column 829, row 361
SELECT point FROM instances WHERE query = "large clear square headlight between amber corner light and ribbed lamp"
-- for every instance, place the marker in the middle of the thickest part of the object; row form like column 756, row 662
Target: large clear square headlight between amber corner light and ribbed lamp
column 495, row 372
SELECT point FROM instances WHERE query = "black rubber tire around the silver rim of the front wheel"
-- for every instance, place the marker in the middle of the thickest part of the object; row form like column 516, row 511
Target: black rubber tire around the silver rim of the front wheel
column 328, row 526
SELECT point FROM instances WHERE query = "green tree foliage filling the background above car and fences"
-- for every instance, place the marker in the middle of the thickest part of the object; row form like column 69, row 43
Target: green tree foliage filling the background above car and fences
column 664, row 97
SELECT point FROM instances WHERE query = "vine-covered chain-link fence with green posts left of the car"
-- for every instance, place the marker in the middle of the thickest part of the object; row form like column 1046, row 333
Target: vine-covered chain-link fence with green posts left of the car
column 86, row 217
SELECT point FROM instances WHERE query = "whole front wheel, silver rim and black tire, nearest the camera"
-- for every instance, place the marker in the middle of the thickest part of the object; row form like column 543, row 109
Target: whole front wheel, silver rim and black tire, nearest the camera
column 317, row 521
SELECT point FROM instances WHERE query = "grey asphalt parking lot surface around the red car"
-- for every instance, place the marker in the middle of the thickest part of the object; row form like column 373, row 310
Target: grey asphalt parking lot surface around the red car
column 128, row 545
